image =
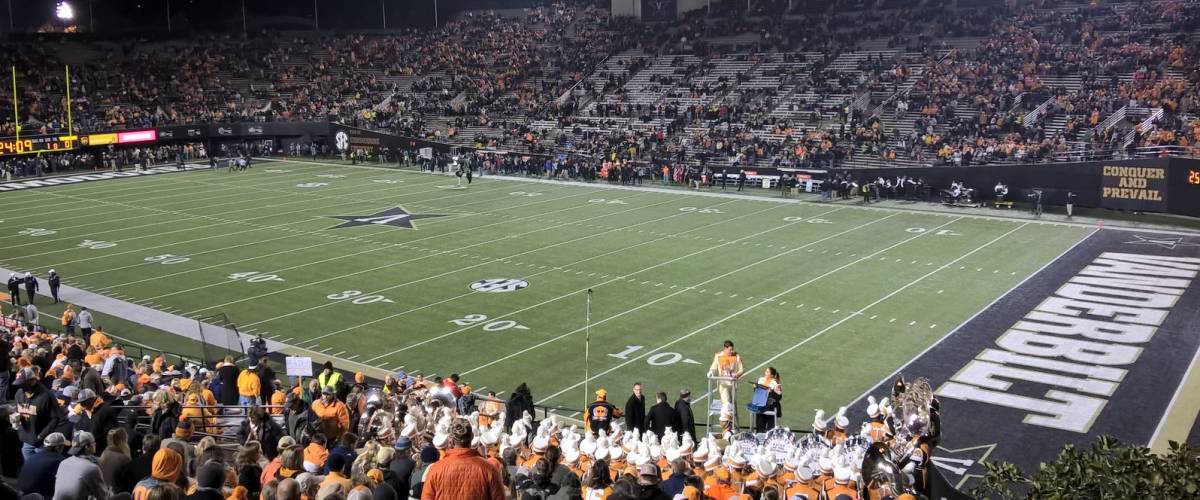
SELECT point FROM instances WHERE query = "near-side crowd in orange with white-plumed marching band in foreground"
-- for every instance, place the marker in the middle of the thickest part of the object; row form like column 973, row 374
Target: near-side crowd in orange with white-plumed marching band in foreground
column 89, row 420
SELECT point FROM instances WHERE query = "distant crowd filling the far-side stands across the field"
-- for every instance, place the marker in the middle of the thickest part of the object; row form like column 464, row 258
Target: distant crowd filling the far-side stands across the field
column 559, row 79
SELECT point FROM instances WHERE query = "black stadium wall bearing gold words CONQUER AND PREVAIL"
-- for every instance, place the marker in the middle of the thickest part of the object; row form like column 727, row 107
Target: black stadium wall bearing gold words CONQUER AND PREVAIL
column 1150, row 185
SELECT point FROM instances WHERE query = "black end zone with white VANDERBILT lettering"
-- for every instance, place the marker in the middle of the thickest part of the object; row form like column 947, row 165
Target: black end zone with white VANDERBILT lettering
column 1102, row 341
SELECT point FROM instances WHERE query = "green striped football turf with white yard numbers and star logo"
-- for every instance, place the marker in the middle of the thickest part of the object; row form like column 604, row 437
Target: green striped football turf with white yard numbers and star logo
column 835, row 306
